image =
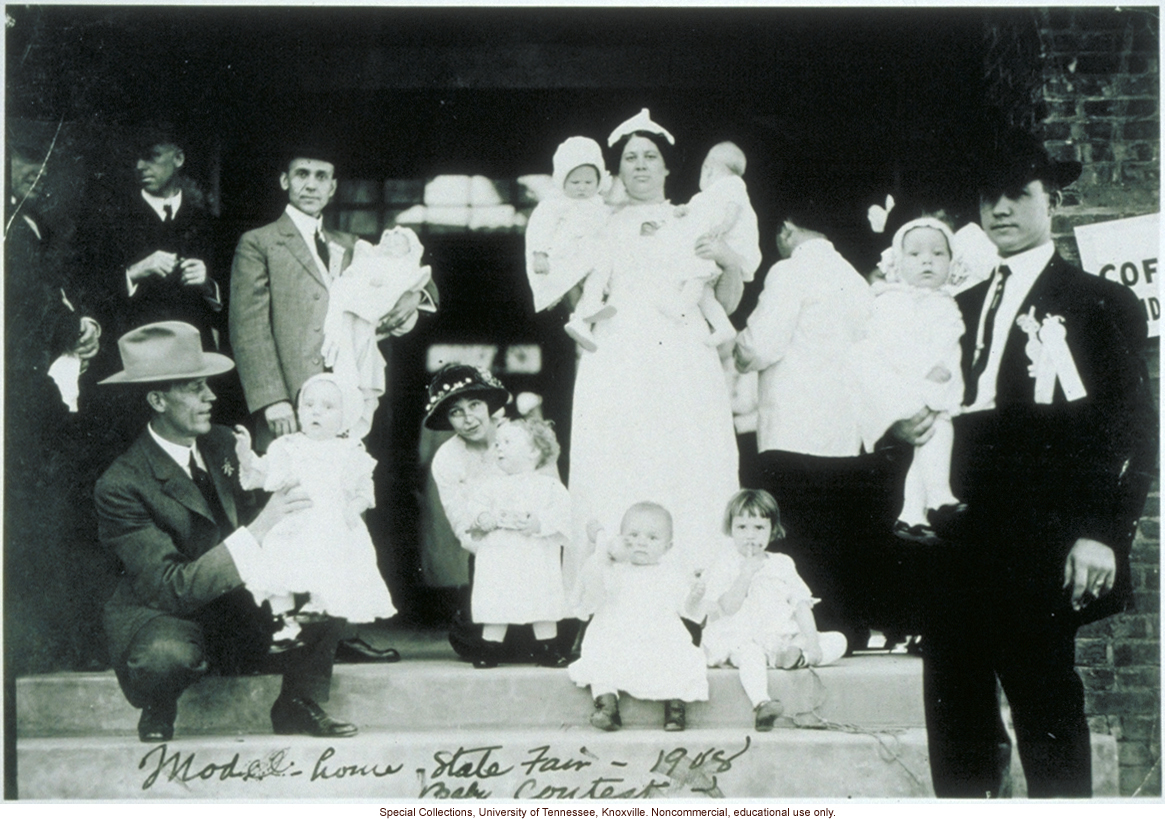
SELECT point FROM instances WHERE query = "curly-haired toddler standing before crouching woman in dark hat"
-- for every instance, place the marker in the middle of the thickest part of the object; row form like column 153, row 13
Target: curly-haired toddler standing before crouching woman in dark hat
column 520, row 521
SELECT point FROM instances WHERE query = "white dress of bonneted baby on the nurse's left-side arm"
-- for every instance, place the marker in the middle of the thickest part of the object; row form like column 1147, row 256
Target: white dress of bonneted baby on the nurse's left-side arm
column 569, row 232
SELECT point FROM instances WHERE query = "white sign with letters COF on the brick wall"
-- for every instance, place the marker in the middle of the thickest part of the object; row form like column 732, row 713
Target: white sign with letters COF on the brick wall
column 1126, row 251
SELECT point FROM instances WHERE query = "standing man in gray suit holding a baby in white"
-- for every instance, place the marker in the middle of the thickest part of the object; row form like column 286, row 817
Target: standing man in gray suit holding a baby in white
column 279, row 296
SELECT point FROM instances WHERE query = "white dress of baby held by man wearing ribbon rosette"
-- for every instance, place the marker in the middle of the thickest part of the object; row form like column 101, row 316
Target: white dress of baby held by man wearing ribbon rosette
column 912, row 330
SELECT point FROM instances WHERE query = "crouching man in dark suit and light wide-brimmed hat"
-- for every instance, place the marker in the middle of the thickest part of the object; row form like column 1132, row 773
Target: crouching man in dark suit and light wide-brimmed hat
column 174, row 513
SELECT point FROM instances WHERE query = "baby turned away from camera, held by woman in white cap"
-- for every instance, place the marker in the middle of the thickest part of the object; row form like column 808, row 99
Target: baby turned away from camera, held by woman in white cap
column 721, row 210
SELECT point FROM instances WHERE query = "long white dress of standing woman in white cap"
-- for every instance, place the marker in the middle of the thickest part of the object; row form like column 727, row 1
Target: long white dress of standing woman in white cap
column 652, row 416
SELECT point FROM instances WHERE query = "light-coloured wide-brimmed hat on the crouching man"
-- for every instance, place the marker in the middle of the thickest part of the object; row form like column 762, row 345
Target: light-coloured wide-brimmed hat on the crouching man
column 163, row 352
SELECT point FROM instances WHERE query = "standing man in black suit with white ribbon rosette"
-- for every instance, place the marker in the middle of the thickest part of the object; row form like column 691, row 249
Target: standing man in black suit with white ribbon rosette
column 1053, row 457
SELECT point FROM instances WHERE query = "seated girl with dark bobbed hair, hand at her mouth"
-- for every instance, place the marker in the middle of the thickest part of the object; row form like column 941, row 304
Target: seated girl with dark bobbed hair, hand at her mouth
column 760, row 611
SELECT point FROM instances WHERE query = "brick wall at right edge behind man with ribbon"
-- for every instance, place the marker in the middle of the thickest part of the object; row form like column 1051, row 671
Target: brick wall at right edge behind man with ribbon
column 1096, row 86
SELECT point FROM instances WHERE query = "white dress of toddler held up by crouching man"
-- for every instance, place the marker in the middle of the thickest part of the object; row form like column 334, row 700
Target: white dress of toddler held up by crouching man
column 314, row 550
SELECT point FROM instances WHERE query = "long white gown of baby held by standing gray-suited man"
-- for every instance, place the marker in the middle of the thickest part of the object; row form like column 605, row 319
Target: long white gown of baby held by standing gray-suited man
column 368, row 291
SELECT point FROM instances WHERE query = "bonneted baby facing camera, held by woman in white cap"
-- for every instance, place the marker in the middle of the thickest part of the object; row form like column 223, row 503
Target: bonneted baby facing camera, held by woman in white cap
column 562, row 239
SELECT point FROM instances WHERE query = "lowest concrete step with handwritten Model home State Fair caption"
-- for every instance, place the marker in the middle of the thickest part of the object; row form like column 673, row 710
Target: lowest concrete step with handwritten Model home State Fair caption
column 497, row 765
